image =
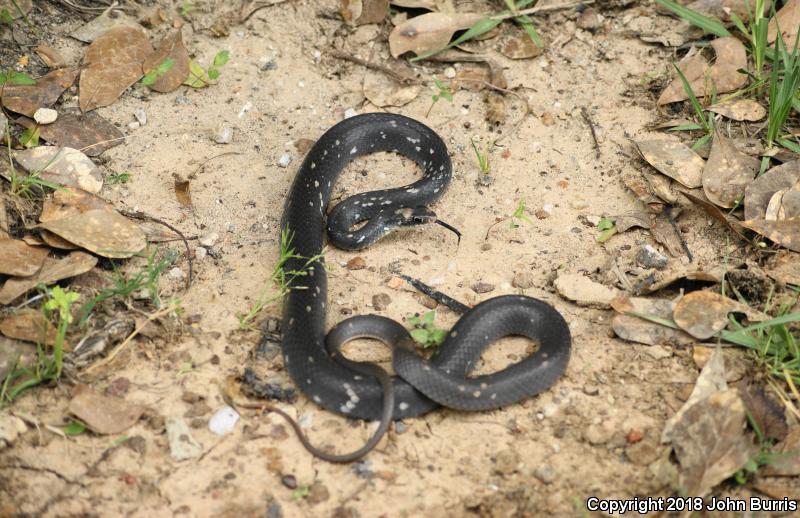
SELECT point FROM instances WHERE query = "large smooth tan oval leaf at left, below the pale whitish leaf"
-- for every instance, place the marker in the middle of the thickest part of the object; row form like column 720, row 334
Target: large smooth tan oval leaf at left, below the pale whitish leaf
column 105, row 233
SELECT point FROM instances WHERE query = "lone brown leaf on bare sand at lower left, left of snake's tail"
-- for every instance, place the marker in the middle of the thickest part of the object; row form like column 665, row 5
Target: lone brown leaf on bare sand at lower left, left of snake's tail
column 103, row 414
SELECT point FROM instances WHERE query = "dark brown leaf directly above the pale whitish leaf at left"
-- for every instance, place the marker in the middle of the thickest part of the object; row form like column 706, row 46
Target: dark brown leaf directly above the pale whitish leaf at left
column 87, row 132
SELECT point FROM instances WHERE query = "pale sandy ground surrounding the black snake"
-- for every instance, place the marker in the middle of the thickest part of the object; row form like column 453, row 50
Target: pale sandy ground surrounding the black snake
column 546, row 455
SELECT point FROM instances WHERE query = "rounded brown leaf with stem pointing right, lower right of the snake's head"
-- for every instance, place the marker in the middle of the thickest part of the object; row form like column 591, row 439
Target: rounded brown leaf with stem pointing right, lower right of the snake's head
column 703, row 314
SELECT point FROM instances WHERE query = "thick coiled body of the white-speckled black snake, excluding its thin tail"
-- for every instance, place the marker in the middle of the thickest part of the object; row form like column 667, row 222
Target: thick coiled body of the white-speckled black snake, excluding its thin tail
column 421, row 385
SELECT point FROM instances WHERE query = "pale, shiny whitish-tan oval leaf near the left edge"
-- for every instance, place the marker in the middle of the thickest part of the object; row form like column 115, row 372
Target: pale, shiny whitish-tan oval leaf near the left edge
column 63, row 166
